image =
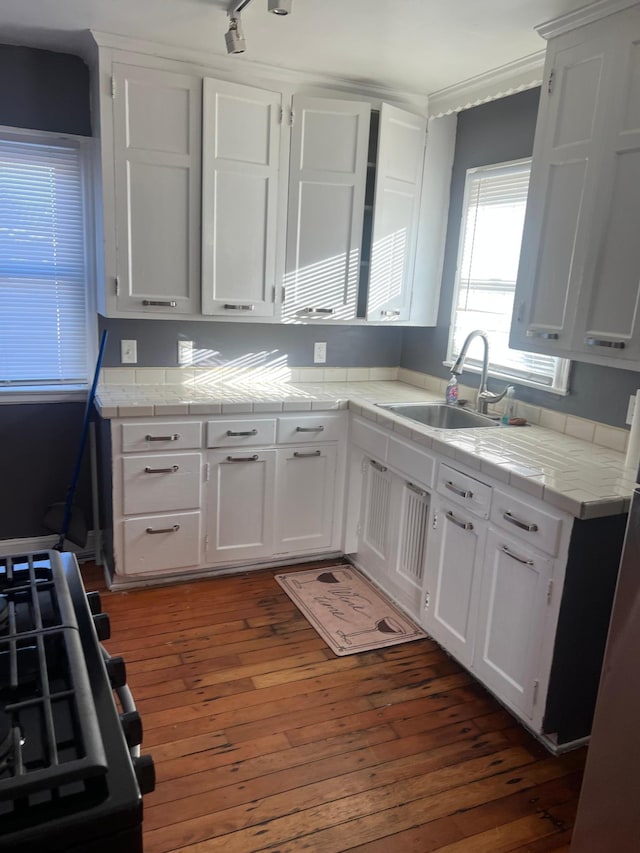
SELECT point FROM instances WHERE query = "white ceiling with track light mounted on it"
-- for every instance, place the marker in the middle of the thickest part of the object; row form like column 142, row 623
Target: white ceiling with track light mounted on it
column 420, row 46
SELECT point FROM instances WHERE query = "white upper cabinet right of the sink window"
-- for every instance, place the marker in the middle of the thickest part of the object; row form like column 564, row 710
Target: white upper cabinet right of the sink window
column 578, row 287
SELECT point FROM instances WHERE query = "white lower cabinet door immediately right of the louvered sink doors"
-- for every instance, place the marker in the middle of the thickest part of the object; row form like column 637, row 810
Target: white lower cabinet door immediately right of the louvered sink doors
column 451, row 585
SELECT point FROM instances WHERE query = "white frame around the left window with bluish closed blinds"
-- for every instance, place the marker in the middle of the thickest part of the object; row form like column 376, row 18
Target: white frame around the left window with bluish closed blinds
column 87, row 152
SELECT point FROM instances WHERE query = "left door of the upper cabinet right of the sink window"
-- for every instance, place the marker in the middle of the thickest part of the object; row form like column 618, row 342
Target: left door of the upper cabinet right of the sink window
column 562, row 195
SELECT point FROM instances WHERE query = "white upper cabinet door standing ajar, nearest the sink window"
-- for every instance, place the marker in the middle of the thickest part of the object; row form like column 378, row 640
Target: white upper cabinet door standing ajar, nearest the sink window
column 399, row 167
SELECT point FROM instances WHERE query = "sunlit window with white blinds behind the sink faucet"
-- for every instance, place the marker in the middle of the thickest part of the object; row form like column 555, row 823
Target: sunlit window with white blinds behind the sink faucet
column 489, row 249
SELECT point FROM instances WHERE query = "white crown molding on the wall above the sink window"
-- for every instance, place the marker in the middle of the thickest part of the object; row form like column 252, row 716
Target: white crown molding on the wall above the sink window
column 517, row 76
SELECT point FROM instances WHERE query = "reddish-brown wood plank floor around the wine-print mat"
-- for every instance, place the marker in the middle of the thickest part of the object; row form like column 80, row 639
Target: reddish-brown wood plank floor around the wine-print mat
column 264, row 740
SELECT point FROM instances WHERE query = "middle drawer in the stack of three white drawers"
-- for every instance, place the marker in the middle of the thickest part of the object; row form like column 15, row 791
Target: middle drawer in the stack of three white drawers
column 161, row 482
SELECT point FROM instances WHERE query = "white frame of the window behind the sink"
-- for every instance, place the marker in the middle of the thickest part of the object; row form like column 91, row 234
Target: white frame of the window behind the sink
column 560, row 384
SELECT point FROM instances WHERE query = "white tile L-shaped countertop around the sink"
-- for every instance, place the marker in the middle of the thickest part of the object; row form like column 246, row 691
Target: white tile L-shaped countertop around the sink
column 583, row 479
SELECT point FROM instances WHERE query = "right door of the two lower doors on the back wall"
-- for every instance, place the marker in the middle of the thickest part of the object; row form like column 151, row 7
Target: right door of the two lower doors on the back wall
column 306, row 478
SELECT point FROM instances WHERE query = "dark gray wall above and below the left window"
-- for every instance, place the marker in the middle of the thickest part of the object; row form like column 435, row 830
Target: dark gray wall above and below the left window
column 42, row 91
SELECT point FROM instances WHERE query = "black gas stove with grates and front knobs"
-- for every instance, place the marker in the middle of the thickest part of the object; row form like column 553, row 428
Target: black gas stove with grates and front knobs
column 71, row 778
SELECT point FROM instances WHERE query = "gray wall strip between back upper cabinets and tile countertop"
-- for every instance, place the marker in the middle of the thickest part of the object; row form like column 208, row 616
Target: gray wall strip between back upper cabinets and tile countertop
column 221, row 343
